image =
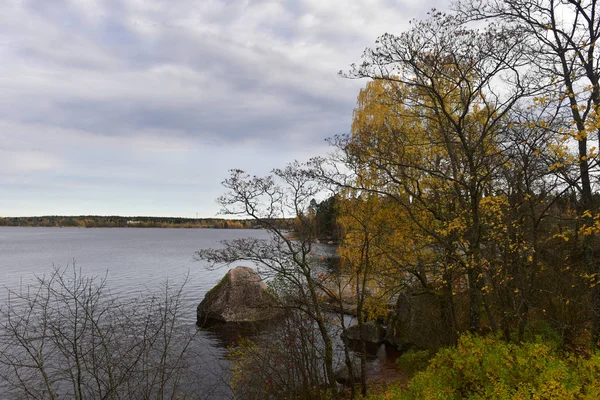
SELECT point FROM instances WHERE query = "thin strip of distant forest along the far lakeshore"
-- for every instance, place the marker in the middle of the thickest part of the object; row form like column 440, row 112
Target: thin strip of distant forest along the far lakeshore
column 96, row 221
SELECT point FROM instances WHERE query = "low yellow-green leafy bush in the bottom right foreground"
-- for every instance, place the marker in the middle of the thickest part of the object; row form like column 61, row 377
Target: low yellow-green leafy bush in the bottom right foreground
column 488, row 368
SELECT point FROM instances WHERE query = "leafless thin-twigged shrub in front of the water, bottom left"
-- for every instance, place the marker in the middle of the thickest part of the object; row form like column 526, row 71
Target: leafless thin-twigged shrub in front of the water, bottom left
column 66, row 336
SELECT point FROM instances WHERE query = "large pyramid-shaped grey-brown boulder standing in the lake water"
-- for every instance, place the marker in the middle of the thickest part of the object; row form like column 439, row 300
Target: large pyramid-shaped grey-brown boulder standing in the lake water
column 241, row 296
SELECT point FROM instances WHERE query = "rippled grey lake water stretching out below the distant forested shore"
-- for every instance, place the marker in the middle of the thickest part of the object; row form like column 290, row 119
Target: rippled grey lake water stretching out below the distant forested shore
column 135, row 261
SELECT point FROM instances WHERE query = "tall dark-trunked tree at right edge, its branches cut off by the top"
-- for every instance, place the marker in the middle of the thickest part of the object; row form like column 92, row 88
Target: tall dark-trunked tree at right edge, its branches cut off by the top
column 560, row 43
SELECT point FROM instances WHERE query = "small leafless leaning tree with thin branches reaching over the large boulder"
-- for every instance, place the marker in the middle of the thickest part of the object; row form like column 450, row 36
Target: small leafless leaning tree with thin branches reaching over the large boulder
column 289, row 256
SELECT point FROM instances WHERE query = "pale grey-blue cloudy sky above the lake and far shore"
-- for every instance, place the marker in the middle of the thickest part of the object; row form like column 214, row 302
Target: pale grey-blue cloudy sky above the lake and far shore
column 140, row 107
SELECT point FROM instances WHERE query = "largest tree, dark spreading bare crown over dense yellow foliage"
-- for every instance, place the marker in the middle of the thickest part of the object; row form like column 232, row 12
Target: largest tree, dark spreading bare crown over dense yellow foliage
column 440, row 86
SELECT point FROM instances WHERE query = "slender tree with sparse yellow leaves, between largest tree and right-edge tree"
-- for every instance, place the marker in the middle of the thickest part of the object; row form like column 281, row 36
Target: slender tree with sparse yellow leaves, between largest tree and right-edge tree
column 516, row 214
